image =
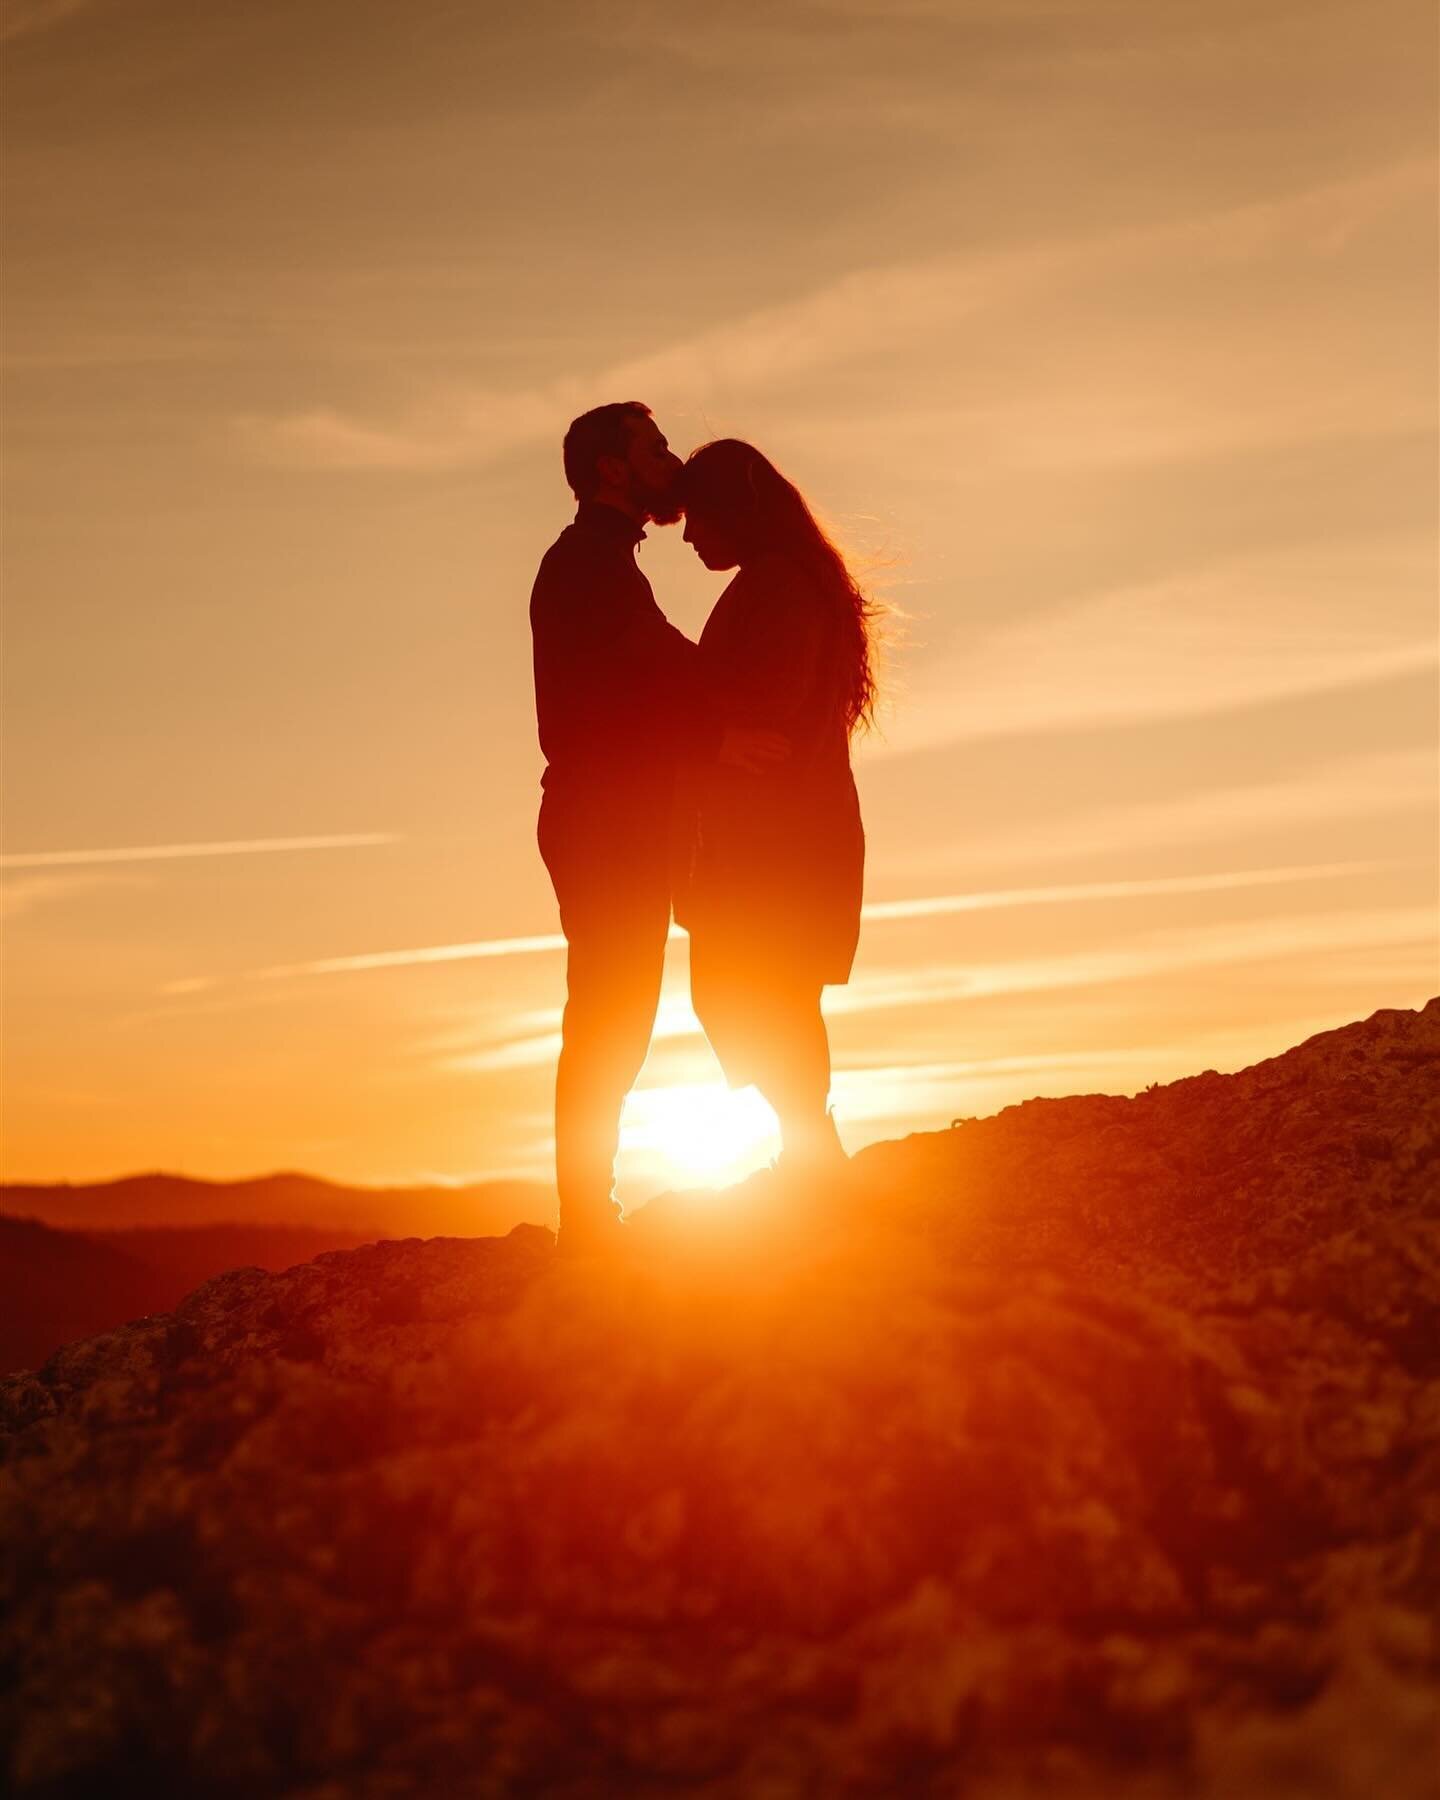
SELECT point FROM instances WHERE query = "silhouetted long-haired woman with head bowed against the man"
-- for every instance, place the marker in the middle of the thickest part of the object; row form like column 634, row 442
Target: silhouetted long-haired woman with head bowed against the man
column 771, row 876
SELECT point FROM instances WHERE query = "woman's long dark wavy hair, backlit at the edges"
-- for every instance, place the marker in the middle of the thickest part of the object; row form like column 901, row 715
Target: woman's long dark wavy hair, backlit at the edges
column 746, row 496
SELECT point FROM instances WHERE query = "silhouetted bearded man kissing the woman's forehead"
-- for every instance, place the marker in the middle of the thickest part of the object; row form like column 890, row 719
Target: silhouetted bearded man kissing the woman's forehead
column 618, row 701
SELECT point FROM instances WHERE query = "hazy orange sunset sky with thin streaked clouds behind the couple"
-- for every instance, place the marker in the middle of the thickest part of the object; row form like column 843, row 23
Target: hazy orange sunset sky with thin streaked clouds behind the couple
column 1104, row 330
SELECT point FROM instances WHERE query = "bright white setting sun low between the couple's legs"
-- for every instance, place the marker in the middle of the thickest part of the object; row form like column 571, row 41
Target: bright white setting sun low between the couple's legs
column 697, row 1133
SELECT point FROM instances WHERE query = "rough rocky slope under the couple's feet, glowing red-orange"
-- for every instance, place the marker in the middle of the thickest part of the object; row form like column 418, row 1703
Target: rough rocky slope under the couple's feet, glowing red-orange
column 1088, row 1450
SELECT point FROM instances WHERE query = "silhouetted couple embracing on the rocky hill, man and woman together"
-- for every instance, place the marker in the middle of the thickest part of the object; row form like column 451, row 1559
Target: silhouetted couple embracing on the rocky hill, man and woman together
column 712, row 778
